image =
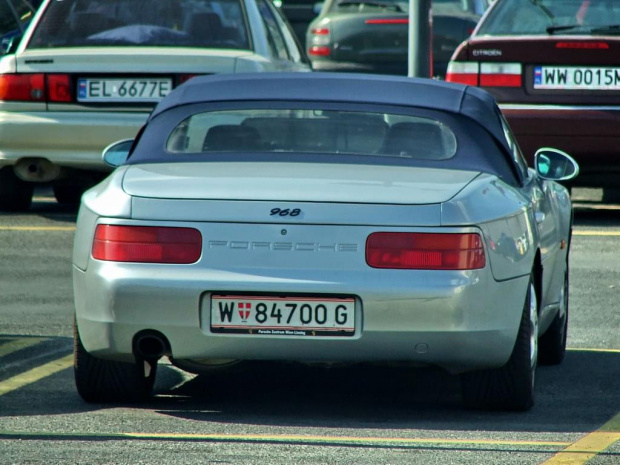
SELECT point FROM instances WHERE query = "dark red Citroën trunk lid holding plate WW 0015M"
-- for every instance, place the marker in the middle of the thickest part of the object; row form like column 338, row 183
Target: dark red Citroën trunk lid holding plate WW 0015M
column 563, row 70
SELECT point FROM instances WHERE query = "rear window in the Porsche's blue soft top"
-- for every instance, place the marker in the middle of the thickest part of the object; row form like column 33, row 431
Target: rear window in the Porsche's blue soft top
column 314, row 131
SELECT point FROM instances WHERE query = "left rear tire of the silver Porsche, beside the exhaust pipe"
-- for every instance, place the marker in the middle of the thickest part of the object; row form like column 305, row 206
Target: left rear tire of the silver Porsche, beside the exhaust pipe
column 99, row 380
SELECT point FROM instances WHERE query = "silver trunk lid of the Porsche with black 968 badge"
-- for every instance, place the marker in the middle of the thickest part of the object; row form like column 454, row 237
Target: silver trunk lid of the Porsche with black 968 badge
column 252, row 192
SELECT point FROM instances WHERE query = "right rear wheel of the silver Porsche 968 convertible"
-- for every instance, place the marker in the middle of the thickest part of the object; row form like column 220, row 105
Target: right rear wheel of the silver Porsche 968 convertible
column 510, row 387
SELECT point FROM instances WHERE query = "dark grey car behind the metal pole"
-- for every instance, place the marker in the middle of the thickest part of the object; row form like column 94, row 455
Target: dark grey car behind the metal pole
column 372, row 35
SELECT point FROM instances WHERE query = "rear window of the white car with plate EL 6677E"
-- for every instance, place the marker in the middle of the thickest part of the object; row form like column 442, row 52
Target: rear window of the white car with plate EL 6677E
column 185, row 23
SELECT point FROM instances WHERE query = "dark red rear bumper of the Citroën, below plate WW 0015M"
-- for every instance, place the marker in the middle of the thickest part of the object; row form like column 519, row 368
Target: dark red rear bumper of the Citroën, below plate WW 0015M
column 589, row 134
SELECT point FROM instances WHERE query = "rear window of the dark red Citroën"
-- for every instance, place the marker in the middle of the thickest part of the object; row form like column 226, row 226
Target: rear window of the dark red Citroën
column 545, row 17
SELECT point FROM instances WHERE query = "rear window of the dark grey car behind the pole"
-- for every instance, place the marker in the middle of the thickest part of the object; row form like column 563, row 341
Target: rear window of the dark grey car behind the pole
column 440, row 7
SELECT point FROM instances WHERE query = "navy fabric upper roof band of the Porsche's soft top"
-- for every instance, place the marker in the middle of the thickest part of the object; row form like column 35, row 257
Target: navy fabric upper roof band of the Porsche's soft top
column 471, row 102
